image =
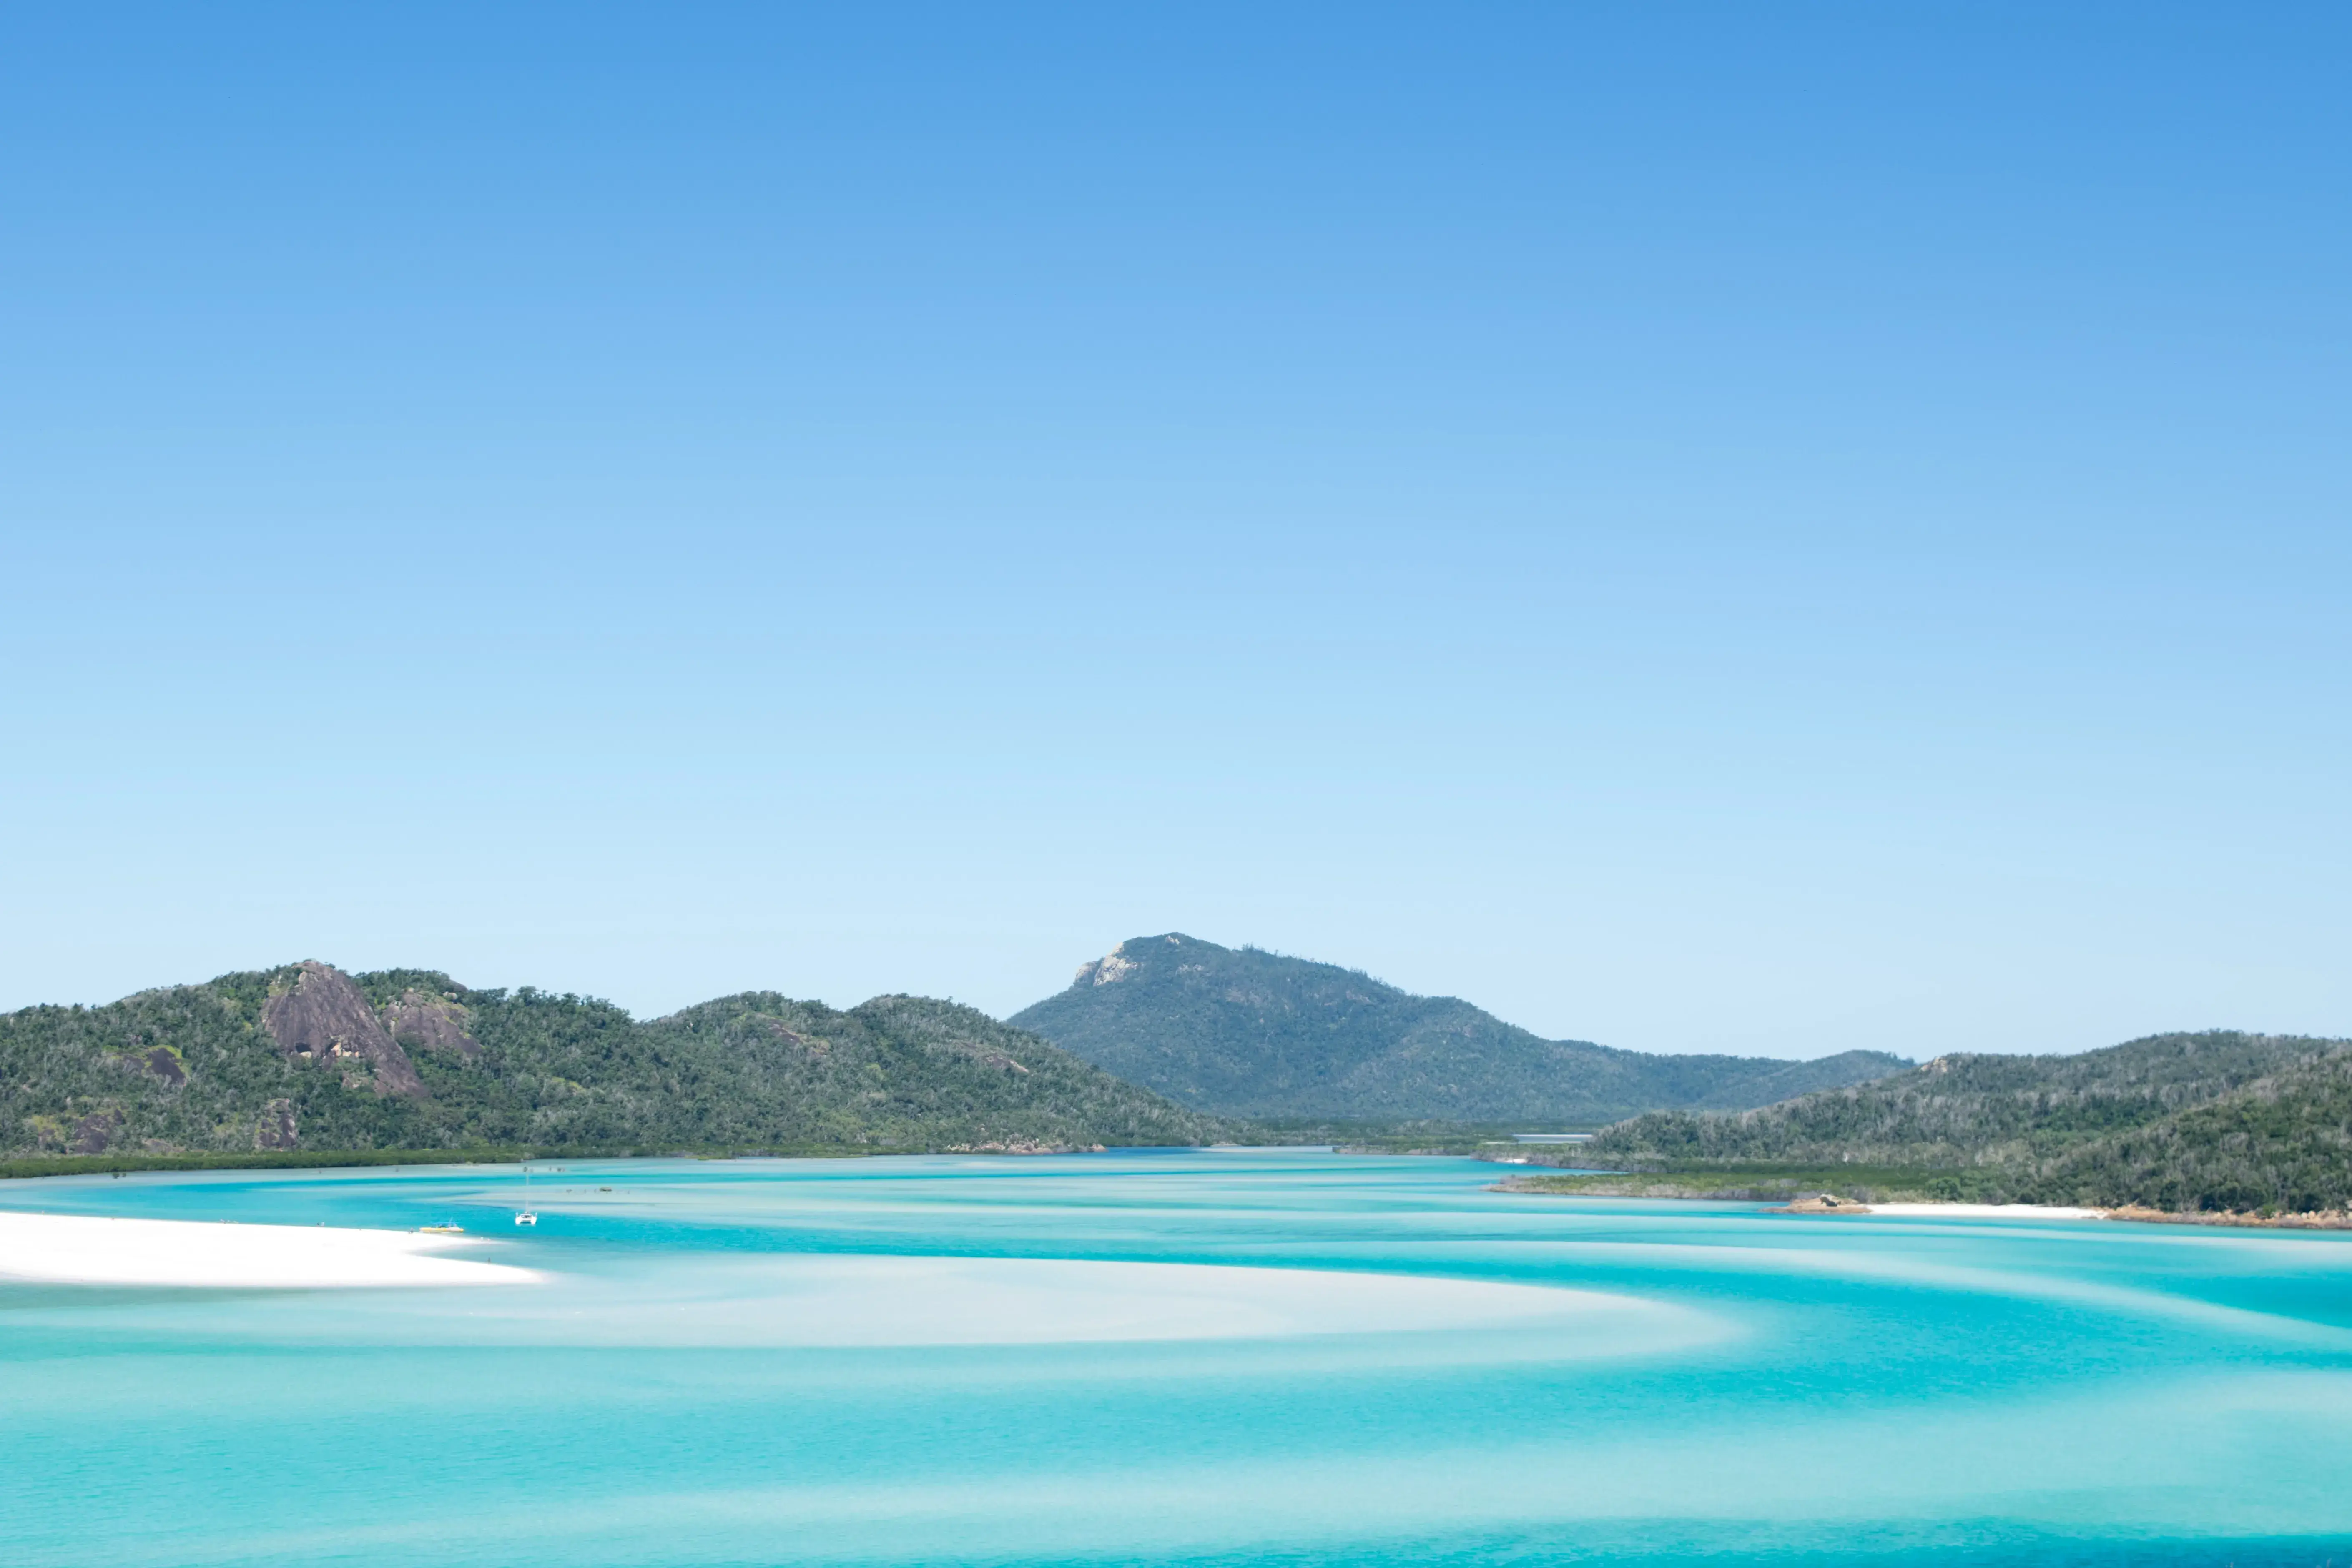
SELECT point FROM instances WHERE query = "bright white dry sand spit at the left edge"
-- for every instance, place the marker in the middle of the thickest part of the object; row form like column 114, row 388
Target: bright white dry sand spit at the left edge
column 100, row 1252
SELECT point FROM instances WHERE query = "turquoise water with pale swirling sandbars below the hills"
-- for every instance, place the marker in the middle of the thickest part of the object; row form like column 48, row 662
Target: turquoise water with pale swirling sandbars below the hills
column 1189, row 1358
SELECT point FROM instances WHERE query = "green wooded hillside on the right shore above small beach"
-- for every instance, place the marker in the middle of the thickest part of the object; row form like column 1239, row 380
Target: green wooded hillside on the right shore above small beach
column 2181, row 1123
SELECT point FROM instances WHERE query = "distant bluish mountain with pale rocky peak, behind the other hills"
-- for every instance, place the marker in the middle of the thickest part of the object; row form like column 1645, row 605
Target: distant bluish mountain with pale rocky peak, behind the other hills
column 1250, row 1033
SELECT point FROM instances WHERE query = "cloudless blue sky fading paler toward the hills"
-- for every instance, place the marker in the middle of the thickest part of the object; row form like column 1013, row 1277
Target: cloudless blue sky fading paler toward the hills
column 1706, row 528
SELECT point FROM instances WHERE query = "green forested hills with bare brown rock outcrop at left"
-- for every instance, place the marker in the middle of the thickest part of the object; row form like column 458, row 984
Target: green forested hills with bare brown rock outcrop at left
column 312, row 1059
